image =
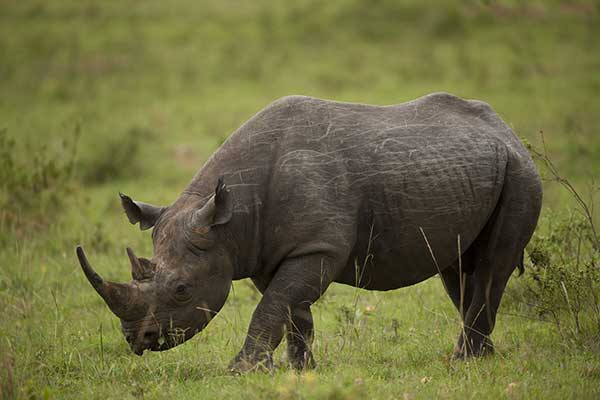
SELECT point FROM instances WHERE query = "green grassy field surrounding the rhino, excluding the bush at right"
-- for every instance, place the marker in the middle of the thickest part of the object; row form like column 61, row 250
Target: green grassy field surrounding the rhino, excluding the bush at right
column 97, row 98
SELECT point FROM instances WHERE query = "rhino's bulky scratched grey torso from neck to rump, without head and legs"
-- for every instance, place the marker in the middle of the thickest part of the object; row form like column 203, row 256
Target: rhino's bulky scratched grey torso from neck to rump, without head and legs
column 356, row 179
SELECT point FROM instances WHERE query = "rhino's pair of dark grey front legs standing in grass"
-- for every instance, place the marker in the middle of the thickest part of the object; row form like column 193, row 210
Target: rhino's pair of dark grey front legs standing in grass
column 297, row 284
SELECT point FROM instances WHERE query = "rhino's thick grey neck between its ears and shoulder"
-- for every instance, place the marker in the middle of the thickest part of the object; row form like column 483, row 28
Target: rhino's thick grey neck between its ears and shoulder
column 245, row 161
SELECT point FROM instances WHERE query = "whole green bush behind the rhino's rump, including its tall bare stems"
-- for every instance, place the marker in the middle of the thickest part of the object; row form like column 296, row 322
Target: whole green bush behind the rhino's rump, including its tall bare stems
column 563, row 280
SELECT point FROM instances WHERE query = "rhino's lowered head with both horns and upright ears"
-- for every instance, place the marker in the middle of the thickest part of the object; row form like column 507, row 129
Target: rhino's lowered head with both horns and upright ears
column 176, row 293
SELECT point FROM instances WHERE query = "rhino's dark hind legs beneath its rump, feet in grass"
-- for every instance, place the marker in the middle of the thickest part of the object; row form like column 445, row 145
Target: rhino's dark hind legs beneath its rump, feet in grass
column 494, row 255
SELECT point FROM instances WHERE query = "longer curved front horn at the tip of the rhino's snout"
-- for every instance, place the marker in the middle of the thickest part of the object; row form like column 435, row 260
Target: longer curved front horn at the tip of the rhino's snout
column 121, row 298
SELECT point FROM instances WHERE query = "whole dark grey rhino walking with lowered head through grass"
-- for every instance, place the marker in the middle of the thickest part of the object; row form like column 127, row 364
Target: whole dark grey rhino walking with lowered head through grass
column 319, row 192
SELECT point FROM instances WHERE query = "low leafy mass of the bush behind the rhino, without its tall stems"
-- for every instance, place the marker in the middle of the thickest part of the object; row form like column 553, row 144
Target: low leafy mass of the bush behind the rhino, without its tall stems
column 563, row 279
